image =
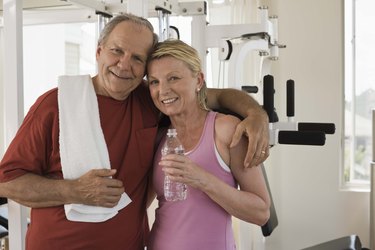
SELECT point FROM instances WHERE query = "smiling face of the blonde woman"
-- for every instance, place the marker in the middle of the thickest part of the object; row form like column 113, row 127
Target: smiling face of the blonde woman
column 173, row 86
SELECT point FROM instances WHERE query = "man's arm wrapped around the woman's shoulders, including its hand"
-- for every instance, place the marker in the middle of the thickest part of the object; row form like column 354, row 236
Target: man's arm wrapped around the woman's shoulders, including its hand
column 254, row 126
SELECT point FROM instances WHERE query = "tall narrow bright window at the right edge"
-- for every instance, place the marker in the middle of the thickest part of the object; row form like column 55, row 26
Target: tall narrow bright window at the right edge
column 359, row 92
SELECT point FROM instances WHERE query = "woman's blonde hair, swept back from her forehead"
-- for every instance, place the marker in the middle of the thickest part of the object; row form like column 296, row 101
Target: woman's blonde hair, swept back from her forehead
column 187, row 54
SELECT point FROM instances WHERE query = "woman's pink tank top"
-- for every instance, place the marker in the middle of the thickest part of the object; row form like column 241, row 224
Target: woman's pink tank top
column 197, row 223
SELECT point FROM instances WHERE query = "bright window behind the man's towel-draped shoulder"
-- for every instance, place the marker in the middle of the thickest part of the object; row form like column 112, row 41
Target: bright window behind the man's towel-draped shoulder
column 50, row 50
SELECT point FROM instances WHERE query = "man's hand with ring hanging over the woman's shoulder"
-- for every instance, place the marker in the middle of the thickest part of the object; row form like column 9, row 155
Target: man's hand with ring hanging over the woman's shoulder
column 255, row 126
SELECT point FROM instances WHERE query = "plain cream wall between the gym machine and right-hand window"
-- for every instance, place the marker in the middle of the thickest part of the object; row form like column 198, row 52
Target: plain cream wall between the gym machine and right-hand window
column 305, row 179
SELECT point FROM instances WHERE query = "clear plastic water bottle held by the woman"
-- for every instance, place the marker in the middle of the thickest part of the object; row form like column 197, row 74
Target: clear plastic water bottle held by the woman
column 173, row 191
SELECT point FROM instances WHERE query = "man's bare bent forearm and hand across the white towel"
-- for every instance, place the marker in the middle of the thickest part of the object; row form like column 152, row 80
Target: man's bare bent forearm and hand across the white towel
column 93, row 188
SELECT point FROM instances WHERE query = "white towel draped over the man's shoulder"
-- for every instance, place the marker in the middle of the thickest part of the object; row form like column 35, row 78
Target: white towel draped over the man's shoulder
column 82, row 144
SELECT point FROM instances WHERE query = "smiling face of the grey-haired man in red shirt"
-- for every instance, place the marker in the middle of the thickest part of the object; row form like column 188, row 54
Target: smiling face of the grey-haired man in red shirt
column 122, row 60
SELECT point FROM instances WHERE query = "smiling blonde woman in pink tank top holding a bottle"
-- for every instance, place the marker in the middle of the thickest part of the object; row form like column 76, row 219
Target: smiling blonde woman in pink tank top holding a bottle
column 219, row 186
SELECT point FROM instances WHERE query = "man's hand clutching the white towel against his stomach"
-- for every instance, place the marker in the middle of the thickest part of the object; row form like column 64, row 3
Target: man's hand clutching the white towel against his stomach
column 96, row 188
